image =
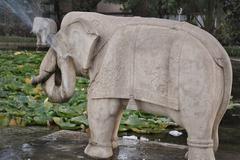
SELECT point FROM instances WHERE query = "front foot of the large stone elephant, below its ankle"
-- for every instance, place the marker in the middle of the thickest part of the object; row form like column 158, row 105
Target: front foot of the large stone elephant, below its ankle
column 98, row 151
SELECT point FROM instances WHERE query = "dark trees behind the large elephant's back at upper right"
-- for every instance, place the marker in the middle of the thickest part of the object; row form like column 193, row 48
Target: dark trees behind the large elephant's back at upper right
column 219, row 17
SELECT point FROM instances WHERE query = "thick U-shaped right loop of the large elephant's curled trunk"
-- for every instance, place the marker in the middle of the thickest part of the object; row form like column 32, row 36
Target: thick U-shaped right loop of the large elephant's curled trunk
column 60, row 86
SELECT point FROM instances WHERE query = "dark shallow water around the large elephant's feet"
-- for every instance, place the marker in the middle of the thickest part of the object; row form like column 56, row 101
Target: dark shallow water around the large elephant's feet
column 37, row 143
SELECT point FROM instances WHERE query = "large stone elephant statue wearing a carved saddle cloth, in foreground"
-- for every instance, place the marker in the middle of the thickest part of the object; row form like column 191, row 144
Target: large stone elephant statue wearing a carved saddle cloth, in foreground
column 155, row 65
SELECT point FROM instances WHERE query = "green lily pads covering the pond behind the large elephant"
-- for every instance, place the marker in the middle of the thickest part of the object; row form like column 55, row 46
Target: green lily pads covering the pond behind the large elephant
column 22, row 104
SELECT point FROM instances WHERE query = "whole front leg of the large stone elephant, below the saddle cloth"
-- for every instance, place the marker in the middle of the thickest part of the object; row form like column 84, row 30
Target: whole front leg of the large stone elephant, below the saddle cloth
column 102, row 114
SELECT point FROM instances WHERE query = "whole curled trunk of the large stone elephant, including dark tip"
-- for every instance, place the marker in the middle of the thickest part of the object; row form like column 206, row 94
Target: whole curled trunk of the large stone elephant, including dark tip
column 58, row 77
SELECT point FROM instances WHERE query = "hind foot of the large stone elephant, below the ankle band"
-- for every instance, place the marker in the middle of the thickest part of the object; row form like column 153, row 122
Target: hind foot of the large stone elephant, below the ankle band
column 200, row 154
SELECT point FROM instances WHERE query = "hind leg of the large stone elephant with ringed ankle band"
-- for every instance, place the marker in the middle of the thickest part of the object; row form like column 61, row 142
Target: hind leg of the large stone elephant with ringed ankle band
column 198, row 121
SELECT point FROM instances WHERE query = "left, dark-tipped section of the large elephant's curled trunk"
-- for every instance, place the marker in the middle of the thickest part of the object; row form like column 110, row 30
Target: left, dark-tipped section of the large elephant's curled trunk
column 47, row 68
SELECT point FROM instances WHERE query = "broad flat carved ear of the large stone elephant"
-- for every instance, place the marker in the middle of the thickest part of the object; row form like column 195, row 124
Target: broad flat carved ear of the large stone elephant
column 82, row 40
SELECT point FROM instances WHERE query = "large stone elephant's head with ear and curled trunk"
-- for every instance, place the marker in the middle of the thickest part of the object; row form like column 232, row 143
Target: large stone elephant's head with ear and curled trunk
column 70, row 55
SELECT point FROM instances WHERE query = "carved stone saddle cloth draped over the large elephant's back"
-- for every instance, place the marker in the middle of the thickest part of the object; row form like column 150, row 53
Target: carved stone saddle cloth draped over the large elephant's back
column 141, row 62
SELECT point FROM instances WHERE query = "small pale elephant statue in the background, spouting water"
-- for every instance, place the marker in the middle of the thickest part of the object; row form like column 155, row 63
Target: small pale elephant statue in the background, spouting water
column 42, row 28
